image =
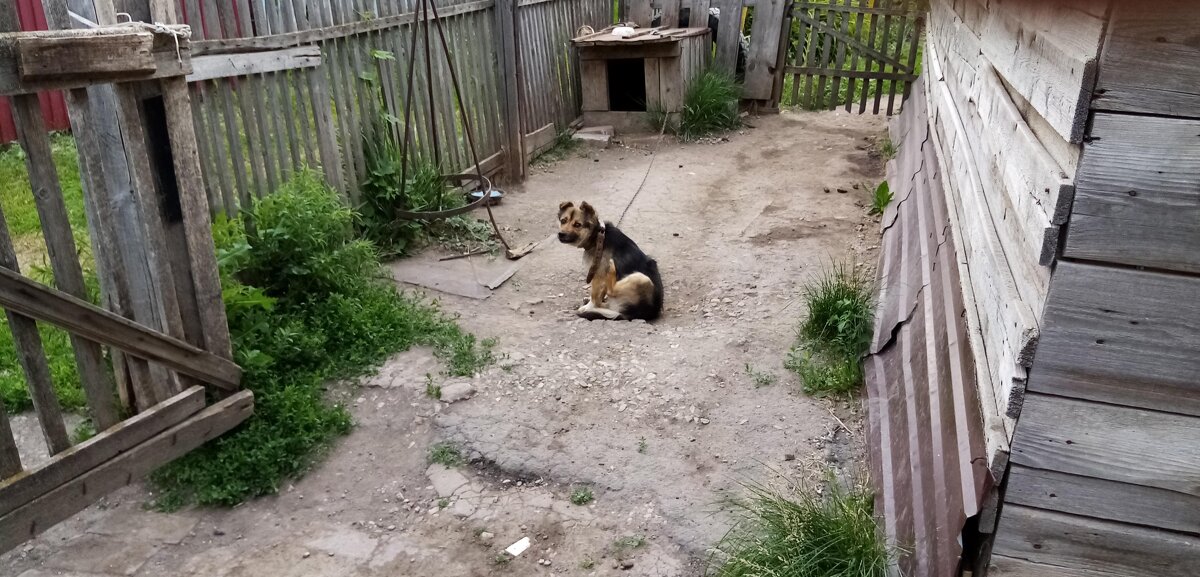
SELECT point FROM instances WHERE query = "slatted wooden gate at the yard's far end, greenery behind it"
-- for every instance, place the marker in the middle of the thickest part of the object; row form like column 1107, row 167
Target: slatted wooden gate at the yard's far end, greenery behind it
column 847, row 52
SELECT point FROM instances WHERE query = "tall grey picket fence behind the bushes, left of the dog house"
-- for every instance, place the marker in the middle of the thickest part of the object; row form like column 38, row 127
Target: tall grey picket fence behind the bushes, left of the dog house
column 314, row 75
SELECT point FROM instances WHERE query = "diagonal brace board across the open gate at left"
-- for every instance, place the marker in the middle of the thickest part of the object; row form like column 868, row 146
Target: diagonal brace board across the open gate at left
column 31, row 299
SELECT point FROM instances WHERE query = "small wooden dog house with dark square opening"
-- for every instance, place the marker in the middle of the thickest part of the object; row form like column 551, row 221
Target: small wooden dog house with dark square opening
column 626, row 79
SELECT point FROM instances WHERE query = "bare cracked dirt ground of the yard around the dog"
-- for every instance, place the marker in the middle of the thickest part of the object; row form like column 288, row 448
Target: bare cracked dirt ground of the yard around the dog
column 662, row 422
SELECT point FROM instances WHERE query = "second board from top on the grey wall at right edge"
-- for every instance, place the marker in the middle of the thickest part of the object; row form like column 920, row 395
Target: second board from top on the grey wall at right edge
column 1138, row 194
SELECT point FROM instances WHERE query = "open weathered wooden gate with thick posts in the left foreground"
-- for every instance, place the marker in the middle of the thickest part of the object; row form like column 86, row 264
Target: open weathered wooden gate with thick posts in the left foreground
column 160, row 336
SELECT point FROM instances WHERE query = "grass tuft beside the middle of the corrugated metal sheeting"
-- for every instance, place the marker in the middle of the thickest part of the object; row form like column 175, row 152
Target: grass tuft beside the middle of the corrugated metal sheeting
column 836, row 334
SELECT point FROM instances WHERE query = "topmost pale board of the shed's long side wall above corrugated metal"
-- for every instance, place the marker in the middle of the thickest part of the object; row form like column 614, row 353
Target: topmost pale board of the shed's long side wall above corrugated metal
column 1048, row 51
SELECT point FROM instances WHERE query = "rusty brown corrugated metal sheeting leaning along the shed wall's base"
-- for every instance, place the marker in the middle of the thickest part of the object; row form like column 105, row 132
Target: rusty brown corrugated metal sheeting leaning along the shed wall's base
column 928, row 454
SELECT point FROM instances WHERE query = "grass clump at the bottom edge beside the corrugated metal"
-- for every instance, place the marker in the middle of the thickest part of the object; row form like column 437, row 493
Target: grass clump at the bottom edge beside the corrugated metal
column 803, row 532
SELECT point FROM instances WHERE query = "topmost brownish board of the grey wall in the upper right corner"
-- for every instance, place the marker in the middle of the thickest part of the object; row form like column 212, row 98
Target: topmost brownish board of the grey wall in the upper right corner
column 1150, row 59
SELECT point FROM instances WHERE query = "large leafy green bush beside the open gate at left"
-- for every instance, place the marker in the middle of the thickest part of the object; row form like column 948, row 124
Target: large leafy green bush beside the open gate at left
column 305, row 305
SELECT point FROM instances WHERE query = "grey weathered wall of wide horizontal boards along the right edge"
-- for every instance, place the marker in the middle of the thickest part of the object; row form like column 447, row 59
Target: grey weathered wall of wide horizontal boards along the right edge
column 1106, row 476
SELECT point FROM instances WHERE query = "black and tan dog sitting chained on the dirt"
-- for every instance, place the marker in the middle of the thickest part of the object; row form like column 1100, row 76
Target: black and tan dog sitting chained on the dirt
column 625, row 281
